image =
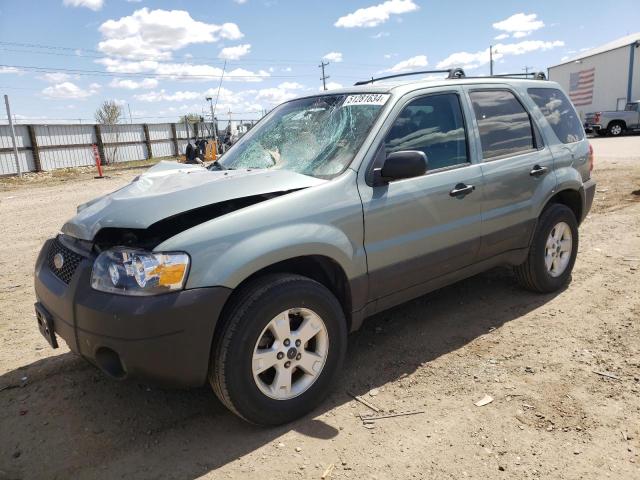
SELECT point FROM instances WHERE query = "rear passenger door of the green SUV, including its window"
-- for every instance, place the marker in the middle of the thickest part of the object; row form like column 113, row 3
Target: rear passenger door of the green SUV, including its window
column 516, row 165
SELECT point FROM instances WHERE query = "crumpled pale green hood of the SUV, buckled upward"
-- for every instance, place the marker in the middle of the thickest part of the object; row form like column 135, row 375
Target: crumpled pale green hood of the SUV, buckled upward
column 170, row 188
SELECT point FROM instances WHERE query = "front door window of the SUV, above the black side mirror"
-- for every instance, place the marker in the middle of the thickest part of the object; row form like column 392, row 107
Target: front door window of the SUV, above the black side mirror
column 433, row 125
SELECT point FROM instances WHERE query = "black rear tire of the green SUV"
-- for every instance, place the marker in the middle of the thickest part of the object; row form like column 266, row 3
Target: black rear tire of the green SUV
column 534, row 274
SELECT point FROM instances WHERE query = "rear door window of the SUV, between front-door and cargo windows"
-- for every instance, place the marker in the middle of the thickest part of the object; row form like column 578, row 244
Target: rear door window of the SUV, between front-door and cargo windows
column 504, row 125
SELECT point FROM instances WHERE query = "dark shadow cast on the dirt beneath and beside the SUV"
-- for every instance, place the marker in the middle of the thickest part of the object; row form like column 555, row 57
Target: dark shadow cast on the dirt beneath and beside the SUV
column 69, row 420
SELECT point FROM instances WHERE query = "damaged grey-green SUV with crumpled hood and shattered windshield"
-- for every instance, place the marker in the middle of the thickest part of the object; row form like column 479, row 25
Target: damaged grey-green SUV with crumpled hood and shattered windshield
column 250, row 273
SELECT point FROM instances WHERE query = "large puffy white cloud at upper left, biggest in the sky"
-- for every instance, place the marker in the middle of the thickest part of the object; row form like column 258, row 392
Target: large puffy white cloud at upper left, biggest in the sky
column 154, row 34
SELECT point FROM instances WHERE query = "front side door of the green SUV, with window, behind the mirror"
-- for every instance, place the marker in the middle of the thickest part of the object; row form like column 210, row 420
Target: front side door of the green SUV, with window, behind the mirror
column 420, row 228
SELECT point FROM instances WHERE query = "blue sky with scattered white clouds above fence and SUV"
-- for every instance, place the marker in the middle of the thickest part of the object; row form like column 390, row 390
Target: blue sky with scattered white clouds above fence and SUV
column 163, row 58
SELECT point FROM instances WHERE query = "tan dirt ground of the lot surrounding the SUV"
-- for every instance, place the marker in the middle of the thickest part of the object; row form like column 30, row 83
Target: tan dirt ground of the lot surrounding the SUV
column 552, row 415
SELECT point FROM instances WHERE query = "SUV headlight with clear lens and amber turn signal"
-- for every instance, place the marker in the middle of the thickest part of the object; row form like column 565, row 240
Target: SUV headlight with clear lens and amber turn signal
column 138, row 272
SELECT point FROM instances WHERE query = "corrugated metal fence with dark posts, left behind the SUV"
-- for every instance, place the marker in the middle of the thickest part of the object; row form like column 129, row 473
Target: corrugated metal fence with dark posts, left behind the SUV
column 47, row 147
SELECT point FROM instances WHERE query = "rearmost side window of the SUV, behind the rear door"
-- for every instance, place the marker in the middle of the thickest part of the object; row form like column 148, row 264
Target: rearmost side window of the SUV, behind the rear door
column 559, row 112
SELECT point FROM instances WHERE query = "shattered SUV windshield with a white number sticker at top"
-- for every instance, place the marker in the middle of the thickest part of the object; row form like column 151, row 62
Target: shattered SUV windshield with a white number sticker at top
column 317, row 136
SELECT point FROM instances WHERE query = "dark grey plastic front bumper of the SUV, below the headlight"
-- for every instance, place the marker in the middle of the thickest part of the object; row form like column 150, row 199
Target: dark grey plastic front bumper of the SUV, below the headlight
column 165, row 339
